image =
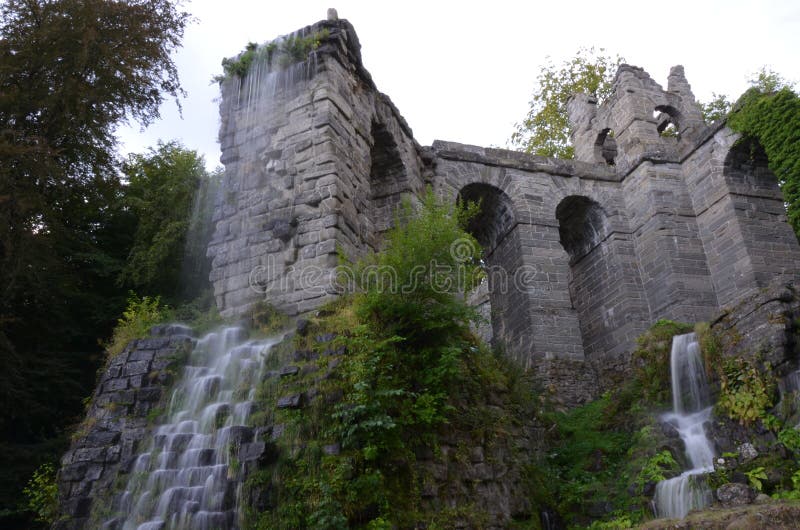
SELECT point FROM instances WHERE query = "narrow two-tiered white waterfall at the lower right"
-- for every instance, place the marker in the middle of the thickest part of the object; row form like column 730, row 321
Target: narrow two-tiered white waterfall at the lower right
column 675, row 497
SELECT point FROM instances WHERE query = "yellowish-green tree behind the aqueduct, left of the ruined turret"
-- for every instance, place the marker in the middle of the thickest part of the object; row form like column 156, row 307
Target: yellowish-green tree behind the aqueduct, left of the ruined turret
column 545, row 129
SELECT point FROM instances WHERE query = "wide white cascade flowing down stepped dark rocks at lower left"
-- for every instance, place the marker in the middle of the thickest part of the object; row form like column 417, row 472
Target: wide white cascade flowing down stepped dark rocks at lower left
column 186, row 479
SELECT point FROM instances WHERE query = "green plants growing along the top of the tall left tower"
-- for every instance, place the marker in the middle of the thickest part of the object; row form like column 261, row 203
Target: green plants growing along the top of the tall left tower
column 281, row 53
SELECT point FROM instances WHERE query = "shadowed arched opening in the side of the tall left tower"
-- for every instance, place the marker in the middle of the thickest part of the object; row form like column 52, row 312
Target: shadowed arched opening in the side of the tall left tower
column 388, row 180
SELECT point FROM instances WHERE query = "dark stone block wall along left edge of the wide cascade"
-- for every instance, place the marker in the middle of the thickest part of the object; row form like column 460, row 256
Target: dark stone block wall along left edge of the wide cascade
column 106, row 443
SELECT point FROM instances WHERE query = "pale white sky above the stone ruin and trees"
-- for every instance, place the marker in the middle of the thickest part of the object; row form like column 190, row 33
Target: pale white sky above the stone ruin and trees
column 464, row 70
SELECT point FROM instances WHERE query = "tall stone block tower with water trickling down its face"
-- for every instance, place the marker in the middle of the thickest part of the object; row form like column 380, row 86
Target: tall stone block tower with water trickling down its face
column 298, row 159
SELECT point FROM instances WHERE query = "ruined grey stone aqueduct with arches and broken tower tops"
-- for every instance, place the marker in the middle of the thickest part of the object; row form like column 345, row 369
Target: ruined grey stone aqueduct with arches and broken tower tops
column 639, row 226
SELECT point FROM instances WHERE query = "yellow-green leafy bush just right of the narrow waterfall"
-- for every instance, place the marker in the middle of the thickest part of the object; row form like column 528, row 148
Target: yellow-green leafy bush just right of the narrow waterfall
column 745, row 392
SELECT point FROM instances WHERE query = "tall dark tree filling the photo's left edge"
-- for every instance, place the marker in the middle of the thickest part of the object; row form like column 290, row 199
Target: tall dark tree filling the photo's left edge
column 70, row 72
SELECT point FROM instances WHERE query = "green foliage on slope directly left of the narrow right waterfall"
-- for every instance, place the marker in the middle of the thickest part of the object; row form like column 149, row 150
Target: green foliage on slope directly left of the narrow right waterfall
column 607, row 450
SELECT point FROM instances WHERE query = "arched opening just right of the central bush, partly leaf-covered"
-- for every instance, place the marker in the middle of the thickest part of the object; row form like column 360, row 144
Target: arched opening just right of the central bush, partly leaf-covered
column 493, row 227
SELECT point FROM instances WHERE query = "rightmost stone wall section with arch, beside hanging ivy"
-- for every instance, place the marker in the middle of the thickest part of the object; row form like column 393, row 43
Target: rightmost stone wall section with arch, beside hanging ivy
column 747, row 241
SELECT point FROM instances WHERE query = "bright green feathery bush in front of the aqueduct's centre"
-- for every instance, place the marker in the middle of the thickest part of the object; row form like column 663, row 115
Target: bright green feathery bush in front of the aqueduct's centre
column 413, row 288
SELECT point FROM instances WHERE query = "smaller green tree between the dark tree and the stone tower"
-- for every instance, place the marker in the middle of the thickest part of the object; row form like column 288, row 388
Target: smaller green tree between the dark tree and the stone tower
column 167, row 191
